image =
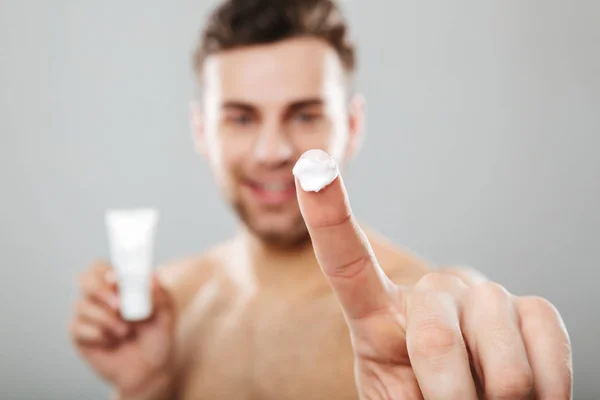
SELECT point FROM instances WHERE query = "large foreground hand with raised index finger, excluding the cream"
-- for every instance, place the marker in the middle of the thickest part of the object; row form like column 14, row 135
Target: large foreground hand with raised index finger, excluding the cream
column 441, row 338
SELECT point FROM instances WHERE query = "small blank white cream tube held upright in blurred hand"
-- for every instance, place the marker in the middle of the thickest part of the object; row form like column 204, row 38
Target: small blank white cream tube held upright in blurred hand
column 131, row 234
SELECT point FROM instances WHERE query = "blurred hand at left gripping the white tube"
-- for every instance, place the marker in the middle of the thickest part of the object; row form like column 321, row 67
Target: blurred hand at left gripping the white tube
column 131, row 356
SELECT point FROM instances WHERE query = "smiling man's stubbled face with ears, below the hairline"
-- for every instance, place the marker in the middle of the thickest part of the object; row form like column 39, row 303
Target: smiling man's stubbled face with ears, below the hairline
column 264, row 106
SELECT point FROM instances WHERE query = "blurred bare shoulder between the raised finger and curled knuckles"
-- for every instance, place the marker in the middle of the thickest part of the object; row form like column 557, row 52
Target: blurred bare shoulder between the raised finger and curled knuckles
column 401, row 265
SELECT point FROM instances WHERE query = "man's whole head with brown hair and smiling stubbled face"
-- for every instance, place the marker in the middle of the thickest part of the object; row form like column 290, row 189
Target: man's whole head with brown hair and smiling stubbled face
column 275, row 78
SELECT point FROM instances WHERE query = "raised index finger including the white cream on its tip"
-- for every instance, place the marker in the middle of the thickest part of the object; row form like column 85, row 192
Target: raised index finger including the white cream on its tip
column 341, row 247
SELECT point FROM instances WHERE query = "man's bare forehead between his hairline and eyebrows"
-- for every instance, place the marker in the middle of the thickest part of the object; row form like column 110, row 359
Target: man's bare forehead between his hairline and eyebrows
column 274, row 73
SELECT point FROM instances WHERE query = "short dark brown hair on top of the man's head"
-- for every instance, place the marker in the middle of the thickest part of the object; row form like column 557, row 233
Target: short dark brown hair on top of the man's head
column 240, row 23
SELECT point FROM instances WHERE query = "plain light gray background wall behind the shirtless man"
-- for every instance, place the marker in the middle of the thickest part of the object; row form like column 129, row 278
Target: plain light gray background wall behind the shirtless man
column 484, row 127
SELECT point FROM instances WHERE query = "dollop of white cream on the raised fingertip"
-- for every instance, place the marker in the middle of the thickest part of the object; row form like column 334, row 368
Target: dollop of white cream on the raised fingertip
column 315, row 170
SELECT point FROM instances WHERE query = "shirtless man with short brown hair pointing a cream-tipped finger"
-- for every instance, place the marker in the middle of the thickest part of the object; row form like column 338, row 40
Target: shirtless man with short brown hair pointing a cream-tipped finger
column 302, row 303
